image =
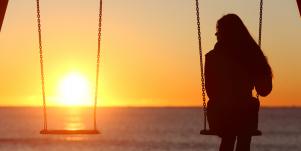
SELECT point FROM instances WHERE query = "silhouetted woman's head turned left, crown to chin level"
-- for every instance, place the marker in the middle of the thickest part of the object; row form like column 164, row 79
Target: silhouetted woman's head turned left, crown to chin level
column 231, row 29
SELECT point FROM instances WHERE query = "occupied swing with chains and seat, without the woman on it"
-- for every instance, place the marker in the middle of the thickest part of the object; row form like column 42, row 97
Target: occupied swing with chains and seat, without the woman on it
column 206, row 131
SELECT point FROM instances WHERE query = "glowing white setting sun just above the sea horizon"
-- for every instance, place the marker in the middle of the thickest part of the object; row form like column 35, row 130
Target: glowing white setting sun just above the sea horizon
column 74, row 90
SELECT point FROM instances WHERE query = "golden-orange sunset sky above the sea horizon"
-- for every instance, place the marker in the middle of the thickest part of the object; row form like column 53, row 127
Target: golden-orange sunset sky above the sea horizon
column 149, row 52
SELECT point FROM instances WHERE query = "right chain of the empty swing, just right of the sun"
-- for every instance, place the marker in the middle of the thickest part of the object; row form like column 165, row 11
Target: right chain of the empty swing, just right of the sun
column 97, row 62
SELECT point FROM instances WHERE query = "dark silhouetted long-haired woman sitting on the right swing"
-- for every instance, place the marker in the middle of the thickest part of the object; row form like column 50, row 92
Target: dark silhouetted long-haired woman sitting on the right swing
column 232, row 69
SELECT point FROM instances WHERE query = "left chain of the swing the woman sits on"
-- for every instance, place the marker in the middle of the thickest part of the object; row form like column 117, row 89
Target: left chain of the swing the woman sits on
column 201, row 62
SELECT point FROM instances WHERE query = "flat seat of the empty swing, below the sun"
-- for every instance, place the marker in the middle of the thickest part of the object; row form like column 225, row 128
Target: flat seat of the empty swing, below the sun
column 68, row 132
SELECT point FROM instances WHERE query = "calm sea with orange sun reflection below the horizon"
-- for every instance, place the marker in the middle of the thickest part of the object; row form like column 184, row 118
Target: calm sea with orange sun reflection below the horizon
column 138, row 129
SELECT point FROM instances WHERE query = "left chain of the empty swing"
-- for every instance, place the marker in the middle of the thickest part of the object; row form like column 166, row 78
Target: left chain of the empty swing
column 41, row 63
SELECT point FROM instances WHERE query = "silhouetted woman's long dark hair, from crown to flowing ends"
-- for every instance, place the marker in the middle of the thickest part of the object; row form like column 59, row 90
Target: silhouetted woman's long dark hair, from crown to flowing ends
column 235, row 36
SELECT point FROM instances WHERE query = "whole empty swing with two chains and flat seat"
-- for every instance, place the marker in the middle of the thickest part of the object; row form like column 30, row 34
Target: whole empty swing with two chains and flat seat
column 45, row 129
